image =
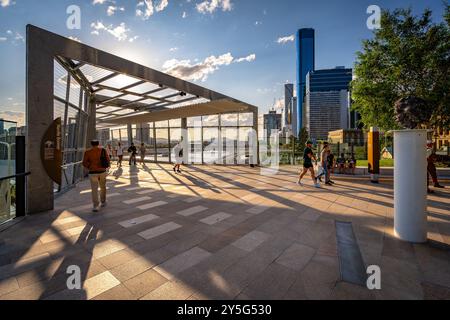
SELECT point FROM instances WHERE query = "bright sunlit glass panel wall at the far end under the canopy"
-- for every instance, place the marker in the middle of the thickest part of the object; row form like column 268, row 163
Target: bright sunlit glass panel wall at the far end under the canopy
column 214, row 139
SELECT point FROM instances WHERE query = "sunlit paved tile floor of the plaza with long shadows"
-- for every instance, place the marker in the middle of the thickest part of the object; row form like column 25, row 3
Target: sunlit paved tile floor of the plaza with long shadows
column 221, row 233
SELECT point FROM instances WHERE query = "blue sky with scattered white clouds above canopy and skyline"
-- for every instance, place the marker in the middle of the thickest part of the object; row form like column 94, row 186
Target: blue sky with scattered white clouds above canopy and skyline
column 242, row 48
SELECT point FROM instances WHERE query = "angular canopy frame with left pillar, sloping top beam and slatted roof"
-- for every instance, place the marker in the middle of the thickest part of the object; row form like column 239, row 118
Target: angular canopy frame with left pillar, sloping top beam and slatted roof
column 112, row 91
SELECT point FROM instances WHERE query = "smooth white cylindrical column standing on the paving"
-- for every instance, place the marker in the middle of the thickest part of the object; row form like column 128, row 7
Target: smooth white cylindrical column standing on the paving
column 410, row 189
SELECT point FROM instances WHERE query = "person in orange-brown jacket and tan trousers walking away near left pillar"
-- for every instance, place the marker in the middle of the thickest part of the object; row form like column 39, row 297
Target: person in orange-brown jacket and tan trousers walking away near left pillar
column 97, row 161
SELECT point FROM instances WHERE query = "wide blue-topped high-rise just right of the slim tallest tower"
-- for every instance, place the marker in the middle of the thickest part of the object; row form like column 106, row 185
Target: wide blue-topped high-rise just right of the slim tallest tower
column 327, row 101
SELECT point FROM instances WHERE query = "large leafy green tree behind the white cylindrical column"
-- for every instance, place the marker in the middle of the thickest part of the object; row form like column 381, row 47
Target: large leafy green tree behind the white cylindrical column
column 408, row 57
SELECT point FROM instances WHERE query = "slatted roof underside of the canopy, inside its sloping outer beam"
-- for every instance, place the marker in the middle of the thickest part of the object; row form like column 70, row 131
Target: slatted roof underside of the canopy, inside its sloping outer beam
column 129, row 99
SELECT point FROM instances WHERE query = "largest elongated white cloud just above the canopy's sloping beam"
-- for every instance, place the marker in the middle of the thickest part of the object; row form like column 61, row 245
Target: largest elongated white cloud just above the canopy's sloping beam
column 200, row 71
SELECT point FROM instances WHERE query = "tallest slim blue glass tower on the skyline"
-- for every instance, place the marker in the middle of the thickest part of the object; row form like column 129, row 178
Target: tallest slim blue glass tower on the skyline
column 305, row 42
